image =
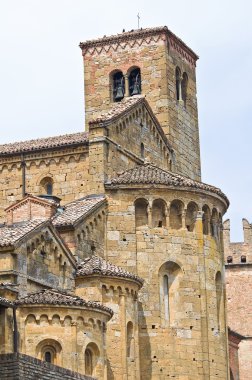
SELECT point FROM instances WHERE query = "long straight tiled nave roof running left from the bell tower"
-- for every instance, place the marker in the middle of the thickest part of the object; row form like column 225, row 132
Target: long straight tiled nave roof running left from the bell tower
column 44, row 143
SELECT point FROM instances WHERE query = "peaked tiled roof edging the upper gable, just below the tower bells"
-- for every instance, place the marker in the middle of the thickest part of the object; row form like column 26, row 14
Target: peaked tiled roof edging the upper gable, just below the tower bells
column 126, row 105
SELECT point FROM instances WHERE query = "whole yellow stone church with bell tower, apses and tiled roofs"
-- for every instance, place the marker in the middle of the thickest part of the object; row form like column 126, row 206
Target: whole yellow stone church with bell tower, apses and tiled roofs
column 111, row 246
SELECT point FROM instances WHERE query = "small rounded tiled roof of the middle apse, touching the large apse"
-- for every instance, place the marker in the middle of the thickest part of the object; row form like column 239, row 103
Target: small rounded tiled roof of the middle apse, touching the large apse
column 95, row 265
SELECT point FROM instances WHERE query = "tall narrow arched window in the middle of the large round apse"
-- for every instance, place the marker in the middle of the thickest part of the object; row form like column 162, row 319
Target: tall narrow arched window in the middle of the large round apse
column 169, row 282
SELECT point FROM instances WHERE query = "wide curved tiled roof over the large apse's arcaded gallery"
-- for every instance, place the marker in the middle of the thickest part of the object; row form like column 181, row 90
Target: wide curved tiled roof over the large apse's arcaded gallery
column 150, row 174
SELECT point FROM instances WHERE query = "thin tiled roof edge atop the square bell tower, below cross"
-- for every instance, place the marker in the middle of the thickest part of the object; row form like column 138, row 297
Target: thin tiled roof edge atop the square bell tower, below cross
column 133, row 34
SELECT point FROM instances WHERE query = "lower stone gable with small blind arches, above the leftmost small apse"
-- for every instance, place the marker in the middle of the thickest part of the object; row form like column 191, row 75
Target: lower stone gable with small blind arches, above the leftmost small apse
column 43, row 261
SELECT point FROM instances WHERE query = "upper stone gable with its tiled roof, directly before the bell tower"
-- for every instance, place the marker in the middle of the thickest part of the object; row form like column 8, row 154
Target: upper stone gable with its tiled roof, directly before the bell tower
column 134, row 136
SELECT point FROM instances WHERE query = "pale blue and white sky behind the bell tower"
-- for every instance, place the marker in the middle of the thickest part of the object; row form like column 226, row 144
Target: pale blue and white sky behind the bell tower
column 41, row 75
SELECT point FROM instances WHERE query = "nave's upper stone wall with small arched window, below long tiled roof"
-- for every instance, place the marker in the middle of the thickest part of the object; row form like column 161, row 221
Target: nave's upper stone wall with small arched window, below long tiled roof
column 66, row 168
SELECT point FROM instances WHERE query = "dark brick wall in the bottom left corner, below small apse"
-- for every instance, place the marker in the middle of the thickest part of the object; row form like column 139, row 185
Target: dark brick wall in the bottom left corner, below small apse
column 19, row 366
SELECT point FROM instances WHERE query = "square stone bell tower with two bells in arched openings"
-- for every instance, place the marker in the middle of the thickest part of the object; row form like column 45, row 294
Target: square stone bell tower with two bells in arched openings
column 157, row 64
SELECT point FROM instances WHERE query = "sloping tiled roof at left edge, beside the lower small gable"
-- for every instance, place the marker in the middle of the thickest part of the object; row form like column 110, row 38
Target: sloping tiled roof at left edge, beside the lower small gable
column 9, row 235
